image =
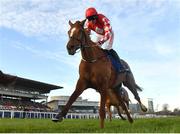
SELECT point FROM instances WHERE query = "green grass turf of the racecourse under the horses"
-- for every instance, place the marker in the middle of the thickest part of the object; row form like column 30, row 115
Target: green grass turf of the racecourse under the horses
column 160, row 125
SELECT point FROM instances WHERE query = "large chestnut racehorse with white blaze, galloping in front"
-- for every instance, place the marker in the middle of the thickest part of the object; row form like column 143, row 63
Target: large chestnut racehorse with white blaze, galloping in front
column 95, row 71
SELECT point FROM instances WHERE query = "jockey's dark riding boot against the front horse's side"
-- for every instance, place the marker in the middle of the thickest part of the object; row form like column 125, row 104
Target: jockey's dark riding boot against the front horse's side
column 116, row 57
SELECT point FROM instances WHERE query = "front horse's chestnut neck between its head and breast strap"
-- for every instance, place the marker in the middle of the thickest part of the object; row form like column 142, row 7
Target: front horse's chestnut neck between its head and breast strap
column 92, row 52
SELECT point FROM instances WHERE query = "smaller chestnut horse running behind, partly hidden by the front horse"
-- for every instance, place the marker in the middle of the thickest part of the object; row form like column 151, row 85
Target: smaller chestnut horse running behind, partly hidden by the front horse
column 113, row 101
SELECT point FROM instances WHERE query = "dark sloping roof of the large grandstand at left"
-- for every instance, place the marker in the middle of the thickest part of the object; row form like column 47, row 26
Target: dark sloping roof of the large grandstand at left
column 19, row 83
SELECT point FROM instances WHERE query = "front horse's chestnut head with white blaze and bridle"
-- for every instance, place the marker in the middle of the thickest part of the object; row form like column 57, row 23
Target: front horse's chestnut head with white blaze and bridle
column 76, row 35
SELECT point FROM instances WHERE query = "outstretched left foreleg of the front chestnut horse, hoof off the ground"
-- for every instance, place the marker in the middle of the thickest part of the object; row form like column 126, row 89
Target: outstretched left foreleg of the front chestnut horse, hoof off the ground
column 80, row 87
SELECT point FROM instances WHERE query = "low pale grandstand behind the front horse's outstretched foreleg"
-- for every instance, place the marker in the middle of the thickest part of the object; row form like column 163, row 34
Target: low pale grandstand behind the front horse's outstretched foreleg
column 81, row 108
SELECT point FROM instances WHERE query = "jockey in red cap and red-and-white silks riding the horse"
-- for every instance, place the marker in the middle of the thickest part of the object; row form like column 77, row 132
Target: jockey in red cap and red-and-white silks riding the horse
column 101, row 25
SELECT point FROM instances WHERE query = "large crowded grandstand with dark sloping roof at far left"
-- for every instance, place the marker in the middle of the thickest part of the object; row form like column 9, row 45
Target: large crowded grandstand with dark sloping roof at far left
column 18, row 95
